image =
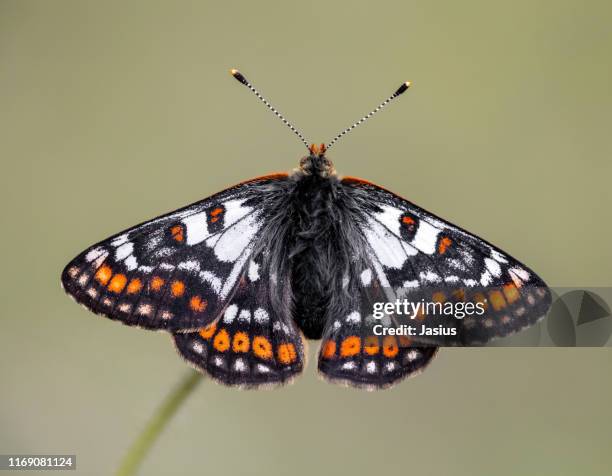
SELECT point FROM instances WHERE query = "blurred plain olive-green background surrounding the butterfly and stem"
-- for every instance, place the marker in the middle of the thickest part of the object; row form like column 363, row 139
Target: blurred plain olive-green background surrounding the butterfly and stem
column 114, row 112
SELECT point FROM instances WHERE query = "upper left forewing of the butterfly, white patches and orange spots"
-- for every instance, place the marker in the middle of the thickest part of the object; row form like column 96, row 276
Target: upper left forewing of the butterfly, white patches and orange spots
column 178, row 271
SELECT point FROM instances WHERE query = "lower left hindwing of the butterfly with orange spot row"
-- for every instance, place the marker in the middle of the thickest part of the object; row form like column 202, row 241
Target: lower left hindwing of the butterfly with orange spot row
column 254, row 343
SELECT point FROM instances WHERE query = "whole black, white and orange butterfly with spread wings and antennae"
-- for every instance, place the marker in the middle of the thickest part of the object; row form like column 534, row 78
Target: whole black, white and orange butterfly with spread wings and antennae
column 243, row 278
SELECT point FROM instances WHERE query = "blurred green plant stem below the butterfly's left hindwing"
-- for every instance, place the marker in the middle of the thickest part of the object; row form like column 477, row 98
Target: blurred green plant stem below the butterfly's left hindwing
column 141, row 446
